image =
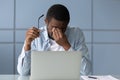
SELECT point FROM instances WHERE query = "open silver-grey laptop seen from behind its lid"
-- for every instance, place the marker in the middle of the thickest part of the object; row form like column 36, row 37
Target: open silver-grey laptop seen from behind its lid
column 55, row 65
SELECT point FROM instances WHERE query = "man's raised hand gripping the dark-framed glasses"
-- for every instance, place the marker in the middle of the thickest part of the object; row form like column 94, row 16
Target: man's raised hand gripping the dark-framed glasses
column 31, row 34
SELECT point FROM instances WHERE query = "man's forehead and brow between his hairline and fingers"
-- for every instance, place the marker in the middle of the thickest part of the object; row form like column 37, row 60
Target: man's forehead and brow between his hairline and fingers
column 56, row 23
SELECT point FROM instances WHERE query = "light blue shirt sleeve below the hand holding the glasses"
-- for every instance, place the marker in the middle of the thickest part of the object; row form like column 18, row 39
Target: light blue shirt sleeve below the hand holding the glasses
column 24, row 63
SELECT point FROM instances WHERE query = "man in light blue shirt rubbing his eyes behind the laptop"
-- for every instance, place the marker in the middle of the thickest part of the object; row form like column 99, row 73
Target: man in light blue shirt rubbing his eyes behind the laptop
column 55, row 36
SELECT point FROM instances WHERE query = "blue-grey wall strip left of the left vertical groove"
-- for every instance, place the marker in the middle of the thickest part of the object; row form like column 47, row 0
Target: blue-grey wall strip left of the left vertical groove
column 6, row 36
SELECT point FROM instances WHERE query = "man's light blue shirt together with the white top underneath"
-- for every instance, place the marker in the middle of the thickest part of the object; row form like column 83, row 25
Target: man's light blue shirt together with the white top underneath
column 43, row 43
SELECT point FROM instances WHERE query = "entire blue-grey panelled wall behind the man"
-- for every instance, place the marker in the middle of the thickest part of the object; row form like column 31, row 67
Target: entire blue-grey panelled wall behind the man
column 99, row 20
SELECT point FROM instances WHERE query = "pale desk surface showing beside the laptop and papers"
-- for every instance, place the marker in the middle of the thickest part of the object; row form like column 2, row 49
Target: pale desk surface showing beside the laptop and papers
column 17, row 77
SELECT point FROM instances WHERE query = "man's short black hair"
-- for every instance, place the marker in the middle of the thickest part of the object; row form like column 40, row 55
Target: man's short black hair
column 59, row 12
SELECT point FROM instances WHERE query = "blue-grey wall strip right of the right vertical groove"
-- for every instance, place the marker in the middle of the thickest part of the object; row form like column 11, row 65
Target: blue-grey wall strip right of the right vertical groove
column 106, row 36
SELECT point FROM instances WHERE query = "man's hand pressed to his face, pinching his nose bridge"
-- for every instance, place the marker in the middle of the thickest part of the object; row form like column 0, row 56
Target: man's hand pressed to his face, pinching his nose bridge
column 60, row 38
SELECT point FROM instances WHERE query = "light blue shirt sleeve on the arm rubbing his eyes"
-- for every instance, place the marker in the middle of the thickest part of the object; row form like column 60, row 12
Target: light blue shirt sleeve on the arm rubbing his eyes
column 79, row 45
